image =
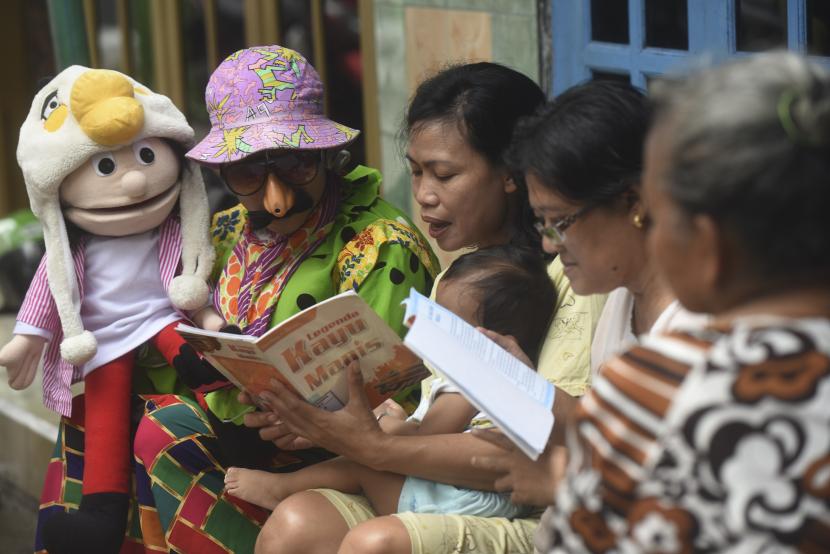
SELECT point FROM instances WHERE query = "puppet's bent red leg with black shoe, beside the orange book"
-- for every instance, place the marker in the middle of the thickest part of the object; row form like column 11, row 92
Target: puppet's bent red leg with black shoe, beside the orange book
column 193, row 370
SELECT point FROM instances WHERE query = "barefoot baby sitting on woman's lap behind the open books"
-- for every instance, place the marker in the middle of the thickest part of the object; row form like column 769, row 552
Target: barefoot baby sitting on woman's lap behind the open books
column 503, row 289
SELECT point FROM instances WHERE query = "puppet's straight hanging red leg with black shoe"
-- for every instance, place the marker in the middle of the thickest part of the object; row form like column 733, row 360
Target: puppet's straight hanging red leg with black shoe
column 101, row 520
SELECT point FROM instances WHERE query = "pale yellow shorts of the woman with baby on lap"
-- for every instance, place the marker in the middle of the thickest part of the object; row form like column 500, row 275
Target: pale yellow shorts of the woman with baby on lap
column 444, row 534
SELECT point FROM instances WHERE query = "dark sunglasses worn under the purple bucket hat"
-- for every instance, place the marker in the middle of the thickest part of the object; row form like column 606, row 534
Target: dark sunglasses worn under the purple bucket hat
column 294, row 169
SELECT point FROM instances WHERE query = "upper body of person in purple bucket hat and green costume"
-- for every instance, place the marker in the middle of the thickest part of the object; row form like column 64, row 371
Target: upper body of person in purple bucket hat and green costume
column 304, row 229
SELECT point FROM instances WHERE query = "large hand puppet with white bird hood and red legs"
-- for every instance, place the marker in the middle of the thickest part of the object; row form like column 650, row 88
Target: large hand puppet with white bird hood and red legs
column 125, row 220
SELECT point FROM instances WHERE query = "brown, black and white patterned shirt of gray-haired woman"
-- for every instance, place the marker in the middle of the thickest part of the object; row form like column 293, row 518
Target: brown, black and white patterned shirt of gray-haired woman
column 713, row 441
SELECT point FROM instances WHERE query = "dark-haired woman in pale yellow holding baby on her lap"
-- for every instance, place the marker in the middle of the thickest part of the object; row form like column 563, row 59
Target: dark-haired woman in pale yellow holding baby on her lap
column 458, row 128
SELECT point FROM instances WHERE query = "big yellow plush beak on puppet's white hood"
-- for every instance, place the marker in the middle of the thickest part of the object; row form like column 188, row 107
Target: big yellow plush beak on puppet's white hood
column 104, row 105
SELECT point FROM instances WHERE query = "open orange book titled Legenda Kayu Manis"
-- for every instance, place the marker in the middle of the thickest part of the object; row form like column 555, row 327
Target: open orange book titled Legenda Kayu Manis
column 309, row 353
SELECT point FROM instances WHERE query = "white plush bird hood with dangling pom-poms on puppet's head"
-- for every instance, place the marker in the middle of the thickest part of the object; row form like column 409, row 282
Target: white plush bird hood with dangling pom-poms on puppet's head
column 83, row 112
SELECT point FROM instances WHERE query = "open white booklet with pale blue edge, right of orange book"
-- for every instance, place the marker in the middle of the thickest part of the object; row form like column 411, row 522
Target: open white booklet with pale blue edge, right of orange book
column 516, row 398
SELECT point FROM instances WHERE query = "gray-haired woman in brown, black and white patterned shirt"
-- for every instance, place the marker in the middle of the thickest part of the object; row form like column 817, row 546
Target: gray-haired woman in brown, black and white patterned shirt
column 719, row 439
